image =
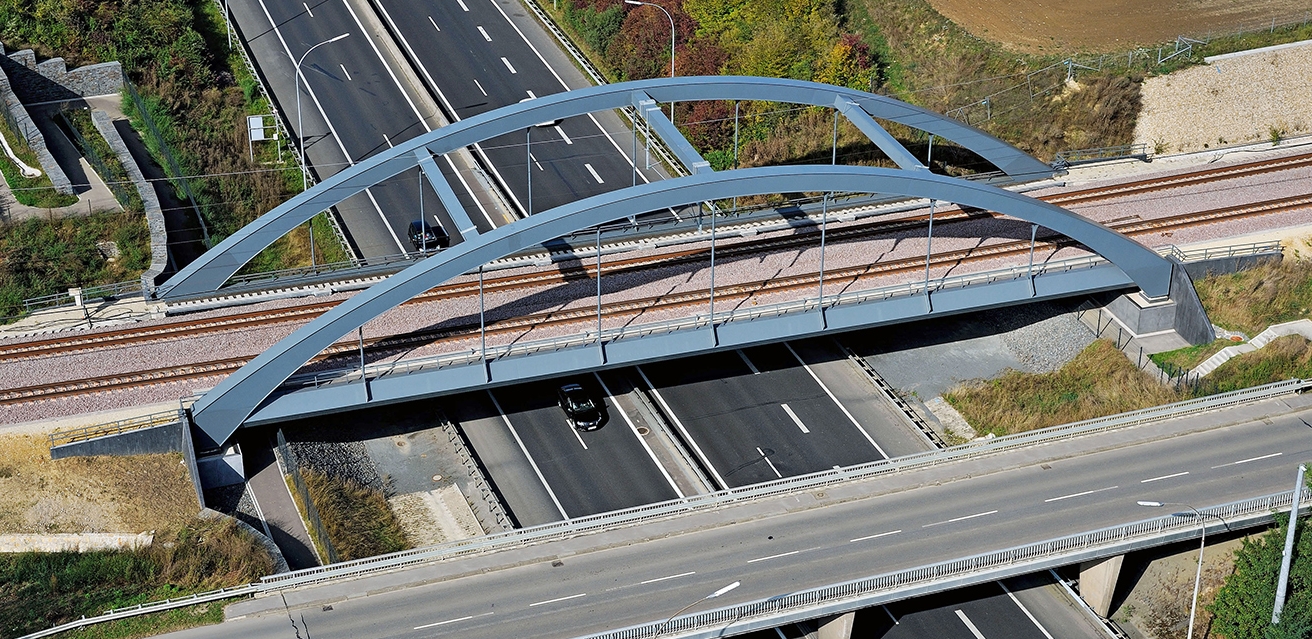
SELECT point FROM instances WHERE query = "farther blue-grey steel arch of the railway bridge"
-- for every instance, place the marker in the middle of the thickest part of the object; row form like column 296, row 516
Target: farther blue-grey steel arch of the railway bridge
column 216, row 267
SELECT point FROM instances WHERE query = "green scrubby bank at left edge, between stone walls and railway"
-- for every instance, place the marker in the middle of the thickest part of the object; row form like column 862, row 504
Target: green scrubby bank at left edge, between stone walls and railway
column 43, row 258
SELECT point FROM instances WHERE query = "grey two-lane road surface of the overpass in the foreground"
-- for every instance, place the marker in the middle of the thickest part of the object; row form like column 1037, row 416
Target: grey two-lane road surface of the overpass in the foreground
column 793, row 549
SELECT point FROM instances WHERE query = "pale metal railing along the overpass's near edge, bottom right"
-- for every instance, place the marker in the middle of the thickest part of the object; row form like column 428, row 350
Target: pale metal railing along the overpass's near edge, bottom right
column 1255, row 511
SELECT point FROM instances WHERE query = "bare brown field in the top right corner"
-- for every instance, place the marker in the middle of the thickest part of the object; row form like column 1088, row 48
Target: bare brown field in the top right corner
column 1057, row 27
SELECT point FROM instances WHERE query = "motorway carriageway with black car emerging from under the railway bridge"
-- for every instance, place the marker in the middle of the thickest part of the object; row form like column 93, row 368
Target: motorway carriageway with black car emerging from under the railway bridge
column 590, row 473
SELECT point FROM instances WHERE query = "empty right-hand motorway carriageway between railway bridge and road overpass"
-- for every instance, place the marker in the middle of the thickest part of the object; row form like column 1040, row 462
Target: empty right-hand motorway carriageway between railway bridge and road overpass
column 756, row 415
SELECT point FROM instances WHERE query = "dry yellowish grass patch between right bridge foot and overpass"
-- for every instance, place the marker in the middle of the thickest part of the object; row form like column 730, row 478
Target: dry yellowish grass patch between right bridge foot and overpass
column 1099, row 382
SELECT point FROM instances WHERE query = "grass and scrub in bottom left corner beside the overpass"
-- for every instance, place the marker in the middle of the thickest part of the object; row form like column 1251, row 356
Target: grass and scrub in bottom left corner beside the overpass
column 40, row 591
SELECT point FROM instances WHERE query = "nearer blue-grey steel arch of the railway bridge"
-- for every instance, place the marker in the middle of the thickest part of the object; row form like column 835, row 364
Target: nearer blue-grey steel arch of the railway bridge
column 224, row 410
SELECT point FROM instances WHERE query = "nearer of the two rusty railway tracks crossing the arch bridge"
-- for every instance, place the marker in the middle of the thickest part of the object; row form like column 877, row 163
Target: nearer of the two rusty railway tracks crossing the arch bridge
column 393, row 346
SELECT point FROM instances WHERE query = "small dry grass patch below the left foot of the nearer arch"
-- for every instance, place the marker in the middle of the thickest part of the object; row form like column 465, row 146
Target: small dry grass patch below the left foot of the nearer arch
column 359, row 520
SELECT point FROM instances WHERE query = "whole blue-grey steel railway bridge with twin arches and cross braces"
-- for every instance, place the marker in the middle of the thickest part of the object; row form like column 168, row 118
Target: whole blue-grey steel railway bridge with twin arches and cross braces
column 221, row 411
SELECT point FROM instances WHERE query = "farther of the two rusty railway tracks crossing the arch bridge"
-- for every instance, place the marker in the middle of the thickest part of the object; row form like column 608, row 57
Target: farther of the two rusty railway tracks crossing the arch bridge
column 306, row 313
